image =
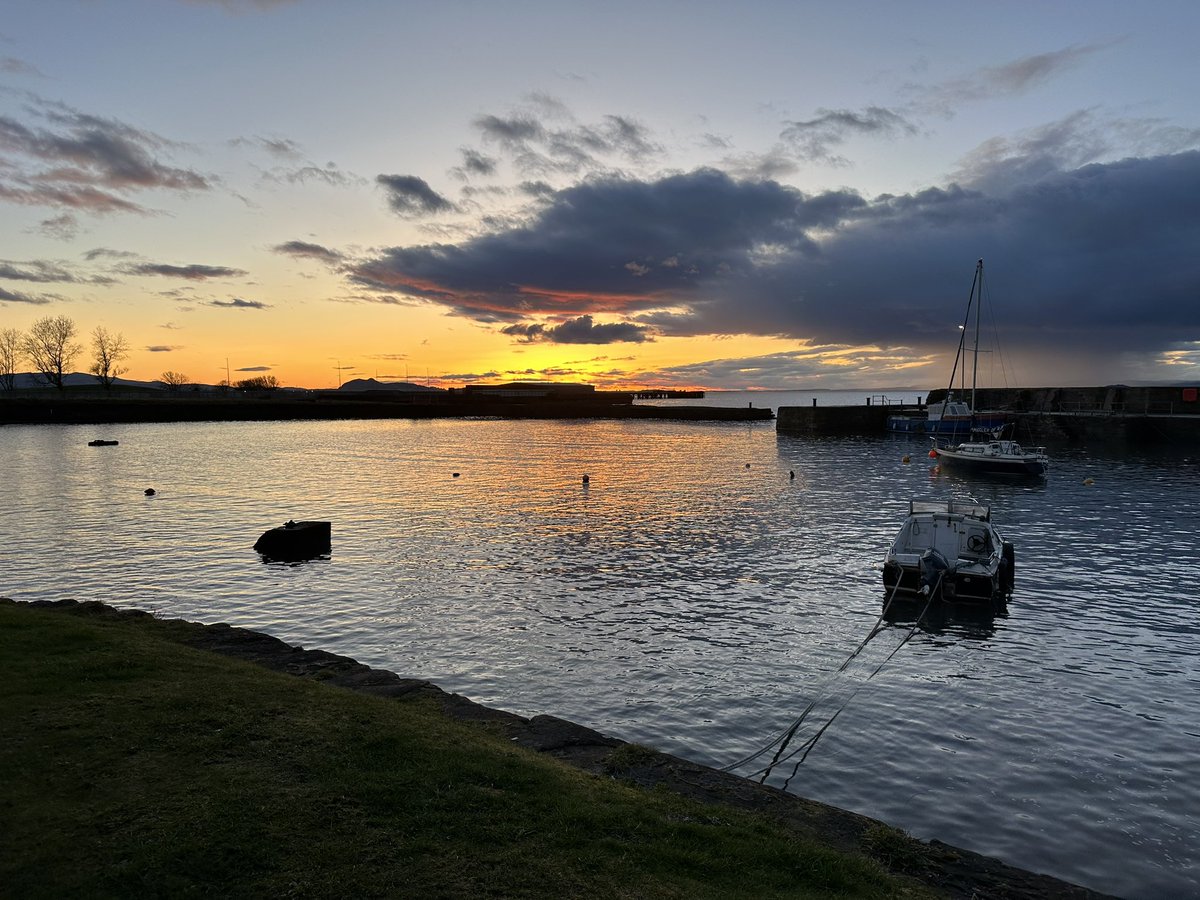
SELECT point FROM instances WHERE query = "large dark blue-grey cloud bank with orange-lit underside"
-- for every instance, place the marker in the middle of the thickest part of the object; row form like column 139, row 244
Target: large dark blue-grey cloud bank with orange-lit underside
column 1097, row 260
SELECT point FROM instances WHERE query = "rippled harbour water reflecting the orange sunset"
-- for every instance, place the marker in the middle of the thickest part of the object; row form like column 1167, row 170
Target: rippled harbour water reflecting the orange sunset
column 692, row 597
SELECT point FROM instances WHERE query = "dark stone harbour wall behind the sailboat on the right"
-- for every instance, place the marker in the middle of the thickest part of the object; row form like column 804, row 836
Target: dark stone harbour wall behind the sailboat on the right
column 1115, row 415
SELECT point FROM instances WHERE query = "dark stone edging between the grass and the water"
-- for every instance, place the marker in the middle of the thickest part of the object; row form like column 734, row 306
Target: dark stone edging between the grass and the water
column 944, row 868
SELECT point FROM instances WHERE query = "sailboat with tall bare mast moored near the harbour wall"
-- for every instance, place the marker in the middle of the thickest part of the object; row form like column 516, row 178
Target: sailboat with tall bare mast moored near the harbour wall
column 988, row 452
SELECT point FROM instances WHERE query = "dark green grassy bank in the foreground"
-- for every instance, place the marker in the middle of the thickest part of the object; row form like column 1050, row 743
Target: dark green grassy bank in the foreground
column 136, row 767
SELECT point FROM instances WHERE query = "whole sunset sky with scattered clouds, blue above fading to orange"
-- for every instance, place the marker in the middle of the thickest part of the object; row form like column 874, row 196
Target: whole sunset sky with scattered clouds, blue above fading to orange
column 656, row 194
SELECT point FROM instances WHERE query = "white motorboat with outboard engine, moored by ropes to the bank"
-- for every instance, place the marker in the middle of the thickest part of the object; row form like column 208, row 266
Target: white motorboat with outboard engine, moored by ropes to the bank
column 950, row 550
